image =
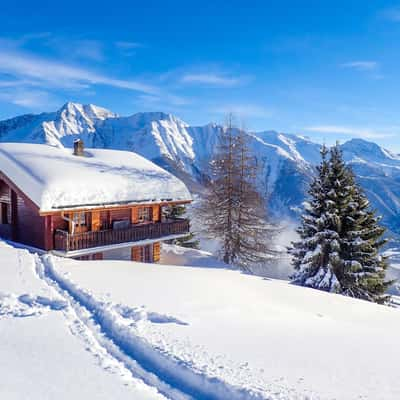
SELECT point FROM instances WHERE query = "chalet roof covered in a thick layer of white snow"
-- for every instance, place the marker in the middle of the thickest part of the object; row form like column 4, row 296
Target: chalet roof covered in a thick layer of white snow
column 54, row 178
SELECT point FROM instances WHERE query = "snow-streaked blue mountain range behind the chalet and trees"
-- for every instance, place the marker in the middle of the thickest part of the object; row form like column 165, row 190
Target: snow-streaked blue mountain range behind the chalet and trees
column 287, row 161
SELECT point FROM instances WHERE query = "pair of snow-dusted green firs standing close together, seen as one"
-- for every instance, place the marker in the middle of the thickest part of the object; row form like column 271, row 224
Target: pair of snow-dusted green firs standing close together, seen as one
column 340, row 236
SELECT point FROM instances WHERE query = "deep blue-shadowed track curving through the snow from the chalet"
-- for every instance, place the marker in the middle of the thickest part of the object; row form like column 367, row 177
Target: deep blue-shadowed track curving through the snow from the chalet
column 118, row 329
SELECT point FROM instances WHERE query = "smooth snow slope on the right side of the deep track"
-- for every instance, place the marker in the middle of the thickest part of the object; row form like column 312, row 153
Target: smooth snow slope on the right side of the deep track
column 227, row 335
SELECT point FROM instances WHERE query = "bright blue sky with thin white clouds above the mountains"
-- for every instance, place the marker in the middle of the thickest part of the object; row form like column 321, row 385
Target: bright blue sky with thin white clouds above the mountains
column 328, row 70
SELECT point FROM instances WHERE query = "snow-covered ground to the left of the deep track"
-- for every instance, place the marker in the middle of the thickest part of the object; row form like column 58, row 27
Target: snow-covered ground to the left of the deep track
column 46, row 351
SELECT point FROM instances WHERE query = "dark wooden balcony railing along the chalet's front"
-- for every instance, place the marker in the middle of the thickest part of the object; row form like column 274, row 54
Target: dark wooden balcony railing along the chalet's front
column 70, row 242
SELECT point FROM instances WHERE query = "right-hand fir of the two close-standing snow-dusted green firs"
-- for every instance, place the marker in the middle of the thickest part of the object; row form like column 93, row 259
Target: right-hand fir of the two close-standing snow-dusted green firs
column 362, row 273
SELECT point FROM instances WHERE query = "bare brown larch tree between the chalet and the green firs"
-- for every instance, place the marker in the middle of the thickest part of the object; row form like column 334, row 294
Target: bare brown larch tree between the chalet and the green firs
column 232, row 209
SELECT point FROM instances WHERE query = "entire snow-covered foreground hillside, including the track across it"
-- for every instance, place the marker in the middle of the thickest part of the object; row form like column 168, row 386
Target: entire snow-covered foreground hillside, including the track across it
column 117, row 329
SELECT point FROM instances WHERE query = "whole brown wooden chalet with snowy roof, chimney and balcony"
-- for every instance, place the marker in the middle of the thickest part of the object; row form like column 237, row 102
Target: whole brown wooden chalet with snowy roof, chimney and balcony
column 88, row 204
